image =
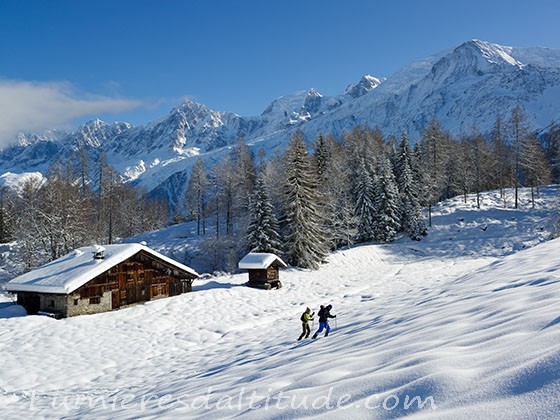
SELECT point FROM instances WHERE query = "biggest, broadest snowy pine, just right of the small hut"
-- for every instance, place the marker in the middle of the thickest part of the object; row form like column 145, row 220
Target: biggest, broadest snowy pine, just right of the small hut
column 306, row 243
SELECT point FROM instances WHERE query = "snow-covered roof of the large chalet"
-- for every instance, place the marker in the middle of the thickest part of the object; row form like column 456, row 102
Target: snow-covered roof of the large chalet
column 75, row 269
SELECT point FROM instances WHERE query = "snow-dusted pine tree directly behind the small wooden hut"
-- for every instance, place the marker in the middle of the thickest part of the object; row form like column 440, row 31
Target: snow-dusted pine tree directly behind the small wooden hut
column 262, row 232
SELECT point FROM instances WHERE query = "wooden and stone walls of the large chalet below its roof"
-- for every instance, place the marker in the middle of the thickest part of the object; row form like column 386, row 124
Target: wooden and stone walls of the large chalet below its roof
column 140, row 278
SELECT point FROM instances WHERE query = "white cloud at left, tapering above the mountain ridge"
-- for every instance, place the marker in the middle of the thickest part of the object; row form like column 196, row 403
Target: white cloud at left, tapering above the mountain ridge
column 39, row 106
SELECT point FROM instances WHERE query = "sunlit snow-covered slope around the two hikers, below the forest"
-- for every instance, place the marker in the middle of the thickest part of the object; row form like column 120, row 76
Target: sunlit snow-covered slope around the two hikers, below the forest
column 461, row 321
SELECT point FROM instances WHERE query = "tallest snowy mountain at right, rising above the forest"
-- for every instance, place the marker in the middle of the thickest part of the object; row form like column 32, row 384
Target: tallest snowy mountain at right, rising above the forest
column 463, row 88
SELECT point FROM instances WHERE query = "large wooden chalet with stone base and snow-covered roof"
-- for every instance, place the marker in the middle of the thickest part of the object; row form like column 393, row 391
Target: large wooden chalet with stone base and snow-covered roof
column 98, row 279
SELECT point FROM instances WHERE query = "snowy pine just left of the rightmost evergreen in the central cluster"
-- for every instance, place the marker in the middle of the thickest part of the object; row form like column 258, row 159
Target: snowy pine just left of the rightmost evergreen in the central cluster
column 387, row 204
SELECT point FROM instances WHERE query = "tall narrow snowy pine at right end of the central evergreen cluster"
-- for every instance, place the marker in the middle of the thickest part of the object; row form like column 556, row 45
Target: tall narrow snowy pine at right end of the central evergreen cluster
column 412, row 220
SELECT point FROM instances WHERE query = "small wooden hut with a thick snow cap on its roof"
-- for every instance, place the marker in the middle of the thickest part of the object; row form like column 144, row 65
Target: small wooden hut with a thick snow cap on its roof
column 263, row 268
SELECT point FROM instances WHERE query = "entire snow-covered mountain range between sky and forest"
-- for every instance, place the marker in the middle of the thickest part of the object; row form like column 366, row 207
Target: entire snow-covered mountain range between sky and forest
column 463, row 88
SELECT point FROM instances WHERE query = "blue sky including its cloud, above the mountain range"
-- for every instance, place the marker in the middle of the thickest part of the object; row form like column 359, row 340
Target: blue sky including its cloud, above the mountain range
column 65, row 62
